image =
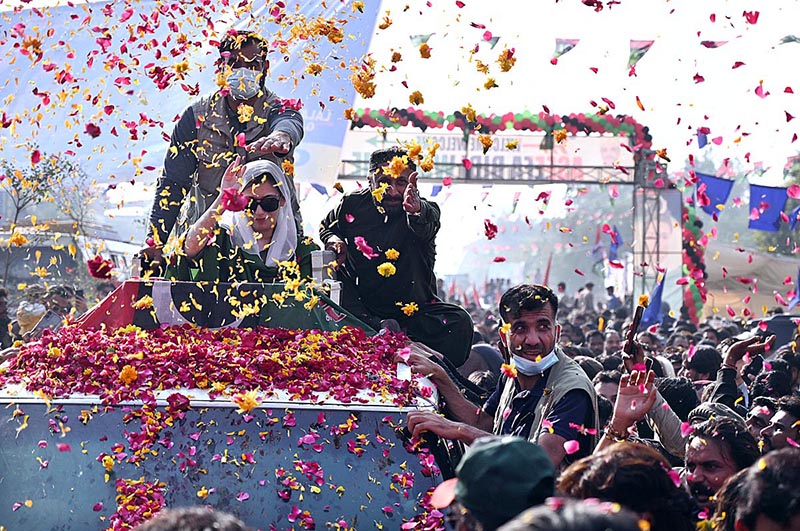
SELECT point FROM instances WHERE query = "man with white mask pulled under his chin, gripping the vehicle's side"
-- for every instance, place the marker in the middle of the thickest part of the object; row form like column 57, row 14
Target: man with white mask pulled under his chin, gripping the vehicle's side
column 543, row 395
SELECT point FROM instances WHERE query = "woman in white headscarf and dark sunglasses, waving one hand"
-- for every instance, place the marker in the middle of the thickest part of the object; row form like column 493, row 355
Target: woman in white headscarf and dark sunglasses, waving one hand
column 247, row 232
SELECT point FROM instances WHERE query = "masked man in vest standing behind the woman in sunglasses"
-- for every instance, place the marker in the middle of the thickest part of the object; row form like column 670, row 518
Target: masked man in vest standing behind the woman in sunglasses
column 244, row 118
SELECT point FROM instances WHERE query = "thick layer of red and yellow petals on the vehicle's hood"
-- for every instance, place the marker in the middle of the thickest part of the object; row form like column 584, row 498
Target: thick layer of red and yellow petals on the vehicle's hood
column 131, row 364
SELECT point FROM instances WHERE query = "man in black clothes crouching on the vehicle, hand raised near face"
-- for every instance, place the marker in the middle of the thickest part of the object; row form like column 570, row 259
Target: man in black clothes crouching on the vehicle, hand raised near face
column 384, row 238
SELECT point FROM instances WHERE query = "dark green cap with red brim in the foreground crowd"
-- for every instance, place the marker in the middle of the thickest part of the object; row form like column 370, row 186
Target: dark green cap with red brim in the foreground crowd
column 498, row 478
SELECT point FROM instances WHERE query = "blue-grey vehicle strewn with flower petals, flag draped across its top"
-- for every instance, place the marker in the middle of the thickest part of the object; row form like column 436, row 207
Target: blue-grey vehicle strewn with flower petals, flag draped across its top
column 278, row 407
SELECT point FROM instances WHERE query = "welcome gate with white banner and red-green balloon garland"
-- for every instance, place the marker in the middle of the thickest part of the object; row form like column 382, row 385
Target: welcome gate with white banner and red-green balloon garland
column 524, row 151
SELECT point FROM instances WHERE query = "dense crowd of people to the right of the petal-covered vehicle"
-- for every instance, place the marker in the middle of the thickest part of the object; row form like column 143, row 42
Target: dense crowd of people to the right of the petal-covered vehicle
column 689, row 419
